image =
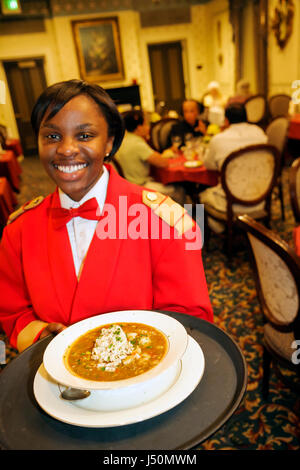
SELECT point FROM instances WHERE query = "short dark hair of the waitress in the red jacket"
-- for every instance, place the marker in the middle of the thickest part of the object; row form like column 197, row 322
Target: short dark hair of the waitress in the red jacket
column 57, row 95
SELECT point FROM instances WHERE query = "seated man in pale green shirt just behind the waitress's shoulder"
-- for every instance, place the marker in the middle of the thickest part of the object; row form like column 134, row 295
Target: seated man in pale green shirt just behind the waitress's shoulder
column 135, row 157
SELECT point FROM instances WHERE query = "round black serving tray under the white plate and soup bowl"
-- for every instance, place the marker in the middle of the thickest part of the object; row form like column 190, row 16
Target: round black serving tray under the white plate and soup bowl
column 25, row 426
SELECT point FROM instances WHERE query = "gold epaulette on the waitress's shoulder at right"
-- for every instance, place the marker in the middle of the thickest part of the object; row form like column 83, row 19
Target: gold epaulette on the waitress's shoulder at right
column 168, row 210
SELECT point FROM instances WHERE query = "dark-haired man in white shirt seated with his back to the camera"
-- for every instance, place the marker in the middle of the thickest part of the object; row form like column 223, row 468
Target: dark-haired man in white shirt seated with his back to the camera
column 238, row 134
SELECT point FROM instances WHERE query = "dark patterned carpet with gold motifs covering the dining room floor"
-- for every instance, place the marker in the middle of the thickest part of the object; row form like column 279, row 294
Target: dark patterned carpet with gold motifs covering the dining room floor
column 258, row 424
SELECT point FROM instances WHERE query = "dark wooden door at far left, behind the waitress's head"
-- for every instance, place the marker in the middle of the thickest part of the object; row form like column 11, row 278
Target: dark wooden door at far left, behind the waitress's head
column 26, row 81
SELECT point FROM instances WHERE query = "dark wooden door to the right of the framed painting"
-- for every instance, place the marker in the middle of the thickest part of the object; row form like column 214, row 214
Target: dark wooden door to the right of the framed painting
column 167, row 74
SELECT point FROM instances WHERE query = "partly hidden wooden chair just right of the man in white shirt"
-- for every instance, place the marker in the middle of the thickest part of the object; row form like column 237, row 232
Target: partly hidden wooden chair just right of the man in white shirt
column 277, row 131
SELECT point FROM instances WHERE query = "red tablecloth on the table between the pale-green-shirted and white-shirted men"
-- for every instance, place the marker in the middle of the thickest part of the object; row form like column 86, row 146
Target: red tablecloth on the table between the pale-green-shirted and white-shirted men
column 176, row 172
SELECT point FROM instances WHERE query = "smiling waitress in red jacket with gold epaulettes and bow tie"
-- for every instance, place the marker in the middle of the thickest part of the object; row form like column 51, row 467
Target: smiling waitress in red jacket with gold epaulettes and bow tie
column 90, row 247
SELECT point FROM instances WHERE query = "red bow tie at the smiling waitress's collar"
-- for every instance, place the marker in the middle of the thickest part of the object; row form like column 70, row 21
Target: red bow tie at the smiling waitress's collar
column 88, row 210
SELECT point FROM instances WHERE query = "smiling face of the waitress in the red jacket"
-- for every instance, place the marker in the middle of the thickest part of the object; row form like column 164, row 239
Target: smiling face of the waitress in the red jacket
column 73, row 144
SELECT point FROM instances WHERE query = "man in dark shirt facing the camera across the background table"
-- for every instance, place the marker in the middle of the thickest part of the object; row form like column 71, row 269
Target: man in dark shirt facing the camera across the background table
column 191, row 123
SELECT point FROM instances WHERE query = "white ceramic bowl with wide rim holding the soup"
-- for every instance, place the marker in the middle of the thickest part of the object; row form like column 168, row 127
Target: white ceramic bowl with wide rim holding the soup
column 127, row 393
